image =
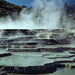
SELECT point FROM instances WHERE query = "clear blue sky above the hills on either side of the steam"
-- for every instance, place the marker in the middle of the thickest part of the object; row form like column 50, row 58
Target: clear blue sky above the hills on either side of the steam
column 28, row 2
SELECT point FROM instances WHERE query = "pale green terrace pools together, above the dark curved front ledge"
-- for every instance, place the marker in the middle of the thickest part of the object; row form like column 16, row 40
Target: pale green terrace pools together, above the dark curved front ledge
column 25, row 59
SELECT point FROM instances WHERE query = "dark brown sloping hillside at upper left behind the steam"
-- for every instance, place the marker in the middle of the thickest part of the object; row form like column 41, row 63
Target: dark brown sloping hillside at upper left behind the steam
column 7, row 8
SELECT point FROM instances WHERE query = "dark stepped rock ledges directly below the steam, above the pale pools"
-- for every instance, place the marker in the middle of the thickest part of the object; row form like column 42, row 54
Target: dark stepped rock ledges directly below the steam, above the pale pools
column 30, row 42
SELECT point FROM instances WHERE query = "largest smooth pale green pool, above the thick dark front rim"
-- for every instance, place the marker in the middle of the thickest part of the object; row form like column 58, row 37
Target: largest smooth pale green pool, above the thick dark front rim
column 24, row 61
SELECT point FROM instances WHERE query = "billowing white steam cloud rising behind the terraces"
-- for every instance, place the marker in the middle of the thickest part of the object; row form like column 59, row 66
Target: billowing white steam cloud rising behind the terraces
column 45, row 15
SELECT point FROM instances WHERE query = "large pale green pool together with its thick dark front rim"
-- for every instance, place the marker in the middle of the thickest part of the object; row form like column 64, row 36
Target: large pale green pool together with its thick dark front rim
column 27, row 65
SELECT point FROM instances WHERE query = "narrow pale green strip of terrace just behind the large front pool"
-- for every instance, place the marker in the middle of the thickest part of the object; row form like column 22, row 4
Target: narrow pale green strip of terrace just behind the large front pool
column 44, row 54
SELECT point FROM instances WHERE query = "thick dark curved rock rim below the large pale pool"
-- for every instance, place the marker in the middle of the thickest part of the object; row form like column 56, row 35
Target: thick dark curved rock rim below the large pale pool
column 48, row 68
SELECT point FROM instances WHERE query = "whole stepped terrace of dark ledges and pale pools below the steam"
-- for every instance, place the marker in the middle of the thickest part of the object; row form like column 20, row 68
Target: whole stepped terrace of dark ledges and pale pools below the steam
column 33, row 54
